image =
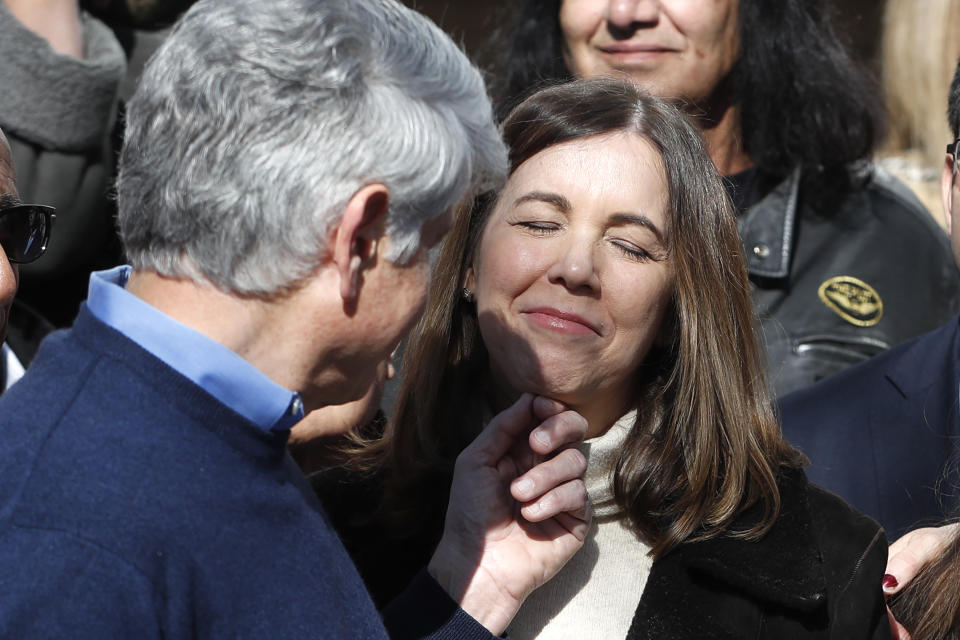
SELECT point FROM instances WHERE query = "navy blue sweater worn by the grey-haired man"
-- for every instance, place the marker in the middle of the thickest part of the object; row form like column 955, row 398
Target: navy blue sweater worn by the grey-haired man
column 134, row 504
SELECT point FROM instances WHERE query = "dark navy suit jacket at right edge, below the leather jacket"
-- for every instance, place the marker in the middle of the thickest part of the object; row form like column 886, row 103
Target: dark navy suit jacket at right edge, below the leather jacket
column 881, row 434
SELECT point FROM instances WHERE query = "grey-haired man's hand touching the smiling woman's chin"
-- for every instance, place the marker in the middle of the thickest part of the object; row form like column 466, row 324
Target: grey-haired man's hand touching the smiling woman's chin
column 518, row 510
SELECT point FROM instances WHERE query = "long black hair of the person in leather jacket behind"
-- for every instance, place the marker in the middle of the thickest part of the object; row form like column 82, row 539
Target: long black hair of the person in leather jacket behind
column 803, row 100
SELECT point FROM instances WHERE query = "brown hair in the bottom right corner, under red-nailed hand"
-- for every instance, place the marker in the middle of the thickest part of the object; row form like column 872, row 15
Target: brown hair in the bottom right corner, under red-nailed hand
column 929, row 606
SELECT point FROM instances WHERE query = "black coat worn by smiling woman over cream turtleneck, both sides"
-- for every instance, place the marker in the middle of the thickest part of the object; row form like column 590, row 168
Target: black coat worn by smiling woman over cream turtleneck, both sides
column 816, row 574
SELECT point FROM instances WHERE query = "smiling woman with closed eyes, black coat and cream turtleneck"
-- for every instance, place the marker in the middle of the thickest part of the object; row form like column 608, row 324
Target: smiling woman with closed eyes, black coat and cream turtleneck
column 608, row 275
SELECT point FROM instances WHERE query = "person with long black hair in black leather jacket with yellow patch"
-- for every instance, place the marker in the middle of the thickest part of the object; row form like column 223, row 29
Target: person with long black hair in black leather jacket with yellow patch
column 844, row 261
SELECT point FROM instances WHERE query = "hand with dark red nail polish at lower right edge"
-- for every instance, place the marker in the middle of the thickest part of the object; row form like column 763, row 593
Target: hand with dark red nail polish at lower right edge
column 907, row 557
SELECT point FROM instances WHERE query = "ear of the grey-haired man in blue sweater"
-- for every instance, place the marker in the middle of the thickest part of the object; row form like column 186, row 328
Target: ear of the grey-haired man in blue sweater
column 357, row 237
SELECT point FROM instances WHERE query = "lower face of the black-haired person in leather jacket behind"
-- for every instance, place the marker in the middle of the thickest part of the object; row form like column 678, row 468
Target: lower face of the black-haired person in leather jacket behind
column 672, row 48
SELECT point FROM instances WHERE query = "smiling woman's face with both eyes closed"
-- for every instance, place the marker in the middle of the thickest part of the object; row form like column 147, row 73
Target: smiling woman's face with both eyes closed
column 572, row 276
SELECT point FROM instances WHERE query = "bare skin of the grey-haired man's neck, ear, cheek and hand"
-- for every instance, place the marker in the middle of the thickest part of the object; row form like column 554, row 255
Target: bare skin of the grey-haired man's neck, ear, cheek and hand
column 327, row 338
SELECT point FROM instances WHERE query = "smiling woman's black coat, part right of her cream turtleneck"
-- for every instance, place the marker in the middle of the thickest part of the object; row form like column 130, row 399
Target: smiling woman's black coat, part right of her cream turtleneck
column 816, row 574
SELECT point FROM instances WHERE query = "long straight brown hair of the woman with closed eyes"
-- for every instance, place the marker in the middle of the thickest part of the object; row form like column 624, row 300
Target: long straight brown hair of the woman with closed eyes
column 705, row 444
